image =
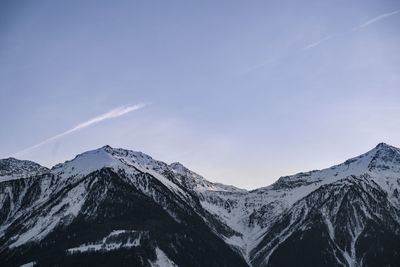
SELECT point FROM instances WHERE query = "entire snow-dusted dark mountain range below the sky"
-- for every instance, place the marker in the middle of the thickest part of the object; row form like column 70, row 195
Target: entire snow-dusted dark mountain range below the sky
column 110, row 207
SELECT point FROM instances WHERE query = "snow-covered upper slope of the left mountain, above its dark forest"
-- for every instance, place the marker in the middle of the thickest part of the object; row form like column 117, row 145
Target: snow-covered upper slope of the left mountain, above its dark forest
column 71, row 174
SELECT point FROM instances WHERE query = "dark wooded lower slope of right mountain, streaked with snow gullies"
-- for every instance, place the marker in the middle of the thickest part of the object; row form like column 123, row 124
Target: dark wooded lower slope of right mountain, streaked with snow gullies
column 339, row 218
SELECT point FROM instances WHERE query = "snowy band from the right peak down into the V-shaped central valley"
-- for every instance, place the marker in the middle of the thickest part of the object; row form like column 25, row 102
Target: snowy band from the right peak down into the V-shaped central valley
column 252, row 213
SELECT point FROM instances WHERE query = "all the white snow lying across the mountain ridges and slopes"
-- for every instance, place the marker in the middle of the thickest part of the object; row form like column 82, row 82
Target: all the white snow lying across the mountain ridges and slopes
column 230, row 205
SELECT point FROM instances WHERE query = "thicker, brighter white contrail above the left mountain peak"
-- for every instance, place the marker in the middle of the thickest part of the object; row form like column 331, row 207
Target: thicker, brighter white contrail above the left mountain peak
column 116, row 112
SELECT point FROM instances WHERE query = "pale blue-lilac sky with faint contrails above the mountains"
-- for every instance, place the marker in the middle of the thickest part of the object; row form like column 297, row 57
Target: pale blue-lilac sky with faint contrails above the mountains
column 241, row 92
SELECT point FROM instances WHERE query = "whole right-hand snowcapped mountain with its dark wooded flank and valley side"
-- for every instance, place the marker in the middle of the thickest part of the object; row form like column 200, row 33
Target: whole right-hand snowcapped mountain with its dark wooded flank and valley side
column 261, row 214
